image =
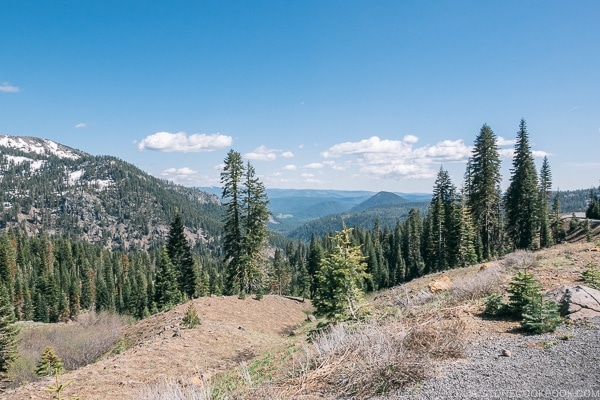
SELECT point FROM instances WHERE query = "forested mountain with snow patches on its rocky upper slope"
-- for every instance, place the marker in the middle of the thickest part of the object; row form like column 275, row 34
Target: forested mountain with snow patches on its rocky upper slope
column 46, row 187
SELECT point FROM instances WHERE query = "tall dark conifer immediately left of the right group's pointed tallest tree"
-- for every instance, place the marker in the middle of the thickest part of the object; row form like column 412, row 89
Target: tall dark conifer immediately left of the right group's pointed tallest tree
column 482, row 188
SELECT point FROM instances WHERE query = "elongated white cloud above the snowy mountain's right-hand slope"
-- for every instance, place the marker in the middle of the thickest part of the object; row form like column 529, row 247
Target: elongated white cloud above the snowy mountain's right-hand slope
column 180, row 142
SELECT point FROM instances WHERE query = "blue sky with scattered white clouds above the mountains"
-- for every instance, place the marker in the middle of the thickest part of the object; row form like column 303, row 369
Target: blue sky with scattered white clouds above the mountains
column 369, row 95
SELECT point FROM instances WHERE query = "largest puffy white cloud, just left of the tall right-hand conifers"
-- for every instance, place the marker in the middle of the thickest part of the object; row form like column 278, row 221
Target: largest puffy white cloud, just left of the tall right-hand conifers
column 383, row 158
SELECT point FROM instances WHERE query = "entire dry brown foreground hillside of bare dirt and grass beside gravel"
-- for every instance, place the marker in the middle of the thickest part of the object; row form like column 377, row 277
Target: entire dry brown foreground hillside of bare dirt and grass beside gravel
column 243, row 348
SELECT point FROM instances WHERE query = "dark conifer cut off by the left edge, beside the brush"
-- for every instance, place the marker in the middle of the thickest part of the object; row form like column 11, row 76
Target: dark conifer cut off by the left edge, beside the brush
column 8, row 334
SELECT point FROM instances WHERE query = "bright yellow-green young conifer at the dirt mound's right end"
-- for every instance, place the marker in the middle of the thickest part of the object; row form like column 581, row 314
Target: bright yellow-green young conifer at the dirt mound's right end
column 339, row 290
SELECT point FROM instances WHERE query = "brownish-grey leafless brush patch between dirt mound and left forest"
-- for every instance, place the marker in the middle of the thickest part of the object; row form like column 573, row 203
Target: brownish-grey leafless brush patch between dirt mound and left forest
column 77, row 344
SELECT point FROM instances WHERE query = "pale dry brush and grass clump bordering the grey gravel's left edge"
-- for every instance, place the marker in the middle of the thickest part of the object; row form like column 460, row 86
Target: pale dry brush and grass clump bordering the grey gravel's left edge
column 370, row 358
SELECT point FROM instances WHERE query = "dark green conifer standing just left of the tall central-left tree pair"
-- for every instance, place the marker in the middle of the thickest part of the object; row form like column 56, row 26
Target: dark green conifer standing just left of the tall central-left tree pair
column 180, row 254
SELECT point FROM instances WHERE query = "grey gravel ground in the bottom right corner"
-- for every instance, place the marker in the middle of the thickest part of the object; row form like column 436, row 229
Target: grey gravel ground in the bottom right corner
column 564, row 364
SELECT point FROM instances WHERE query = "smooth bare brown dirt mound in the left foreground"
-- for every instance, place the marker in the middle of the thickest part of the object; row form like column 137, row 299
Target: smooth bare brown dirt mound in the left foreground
column 232, row 330
